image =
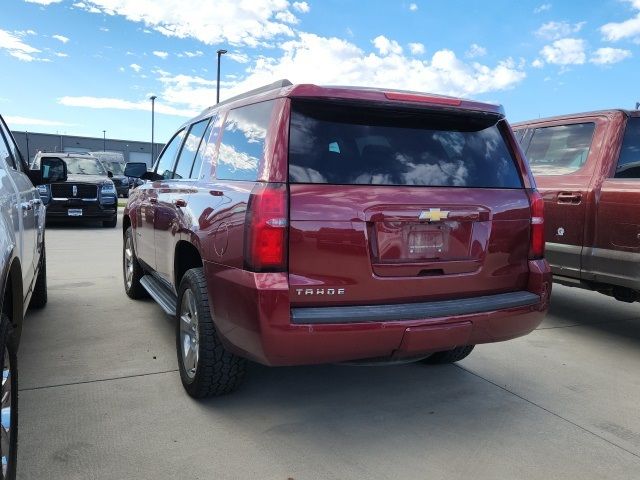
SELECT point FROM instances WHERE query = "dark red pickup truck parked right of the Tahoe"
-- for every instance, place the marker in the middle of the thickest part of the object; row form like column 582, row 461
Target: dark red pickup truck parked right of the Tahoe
column 587, row 168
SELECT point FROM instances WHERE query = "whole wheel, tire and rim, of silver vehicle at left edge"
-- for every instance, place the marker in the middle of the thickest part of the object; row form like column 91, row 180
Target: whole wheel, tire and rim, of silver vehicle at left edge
column 9, row 396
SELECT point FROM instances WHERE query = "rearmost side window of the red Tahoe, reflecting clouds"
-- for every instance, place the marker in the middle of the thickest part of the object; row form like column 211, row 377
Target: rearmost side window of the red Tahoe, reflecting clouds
column 242, row 145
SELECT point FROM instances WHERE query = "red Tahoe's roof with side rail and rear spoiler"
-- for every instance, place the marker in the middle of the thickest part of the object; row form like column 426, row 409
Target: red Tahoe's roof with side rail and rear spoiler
column 284, row 88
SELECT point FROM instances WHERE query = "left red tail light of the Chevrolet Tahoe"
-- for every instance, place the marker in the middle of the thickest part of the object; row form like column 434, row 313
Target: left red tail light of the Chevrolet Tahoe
column 265, row 247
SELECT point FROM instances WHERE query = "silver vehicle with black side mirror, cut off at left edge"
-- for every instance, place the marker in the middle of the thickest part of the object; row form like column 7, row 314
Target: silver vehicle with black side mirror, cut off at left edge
column 23, row 272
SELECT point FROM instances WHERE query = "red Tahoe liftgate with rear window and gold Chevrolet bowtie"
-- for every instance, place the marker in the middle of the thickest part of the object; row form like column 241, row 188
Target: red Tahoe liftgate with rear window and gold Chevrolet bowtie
column 396, row 203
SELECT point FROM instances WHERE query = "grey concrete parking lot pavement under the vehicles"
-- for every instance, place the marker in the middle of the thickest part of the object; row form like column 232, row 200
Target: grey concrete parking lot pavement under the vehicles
column 101, row 398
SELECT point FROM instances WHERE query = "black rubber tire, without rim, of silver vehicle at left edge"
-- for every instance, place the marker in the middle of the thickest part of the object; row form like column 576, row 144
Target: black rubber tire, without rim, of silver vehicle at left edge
column 7, row 347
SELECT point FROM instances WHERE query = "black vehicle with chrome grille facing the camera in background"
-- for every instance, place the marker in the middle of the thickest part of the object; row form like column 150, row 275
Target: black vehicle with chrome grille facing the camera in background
column 87, row 194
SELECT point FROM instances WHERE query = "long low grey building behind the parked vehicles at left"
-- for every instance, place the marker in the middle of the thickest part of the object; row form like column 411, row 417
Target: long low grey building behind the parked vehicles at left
column 31, row 143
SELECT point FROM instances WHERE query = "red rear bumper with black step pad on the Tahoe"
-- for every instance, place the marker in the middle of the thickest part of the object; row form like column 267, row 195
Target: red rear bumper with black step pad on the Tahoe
column 254, row 319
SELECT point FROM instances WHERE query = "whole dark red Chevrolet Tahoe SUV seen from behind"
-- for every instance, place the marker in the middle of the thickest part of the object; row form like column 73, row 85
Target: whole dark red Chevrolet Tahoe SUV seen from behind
column 303, row 224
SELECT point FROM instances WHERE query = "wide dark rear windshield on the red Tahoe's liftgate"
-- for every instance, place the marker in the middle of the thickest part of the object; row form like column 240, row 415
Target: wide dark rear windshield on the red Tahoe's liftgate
column 357, row 145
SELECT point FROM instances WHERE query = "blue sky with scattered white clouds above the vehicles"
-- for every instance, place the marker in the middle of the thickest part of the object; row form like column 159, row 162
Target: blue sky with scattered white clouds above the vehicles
column 84, row 66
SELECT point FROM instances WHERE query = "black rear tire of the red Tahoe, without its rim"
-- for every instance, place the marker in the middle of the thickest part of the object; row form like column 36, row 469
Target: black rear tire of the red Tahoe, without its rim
column 217, row 370
